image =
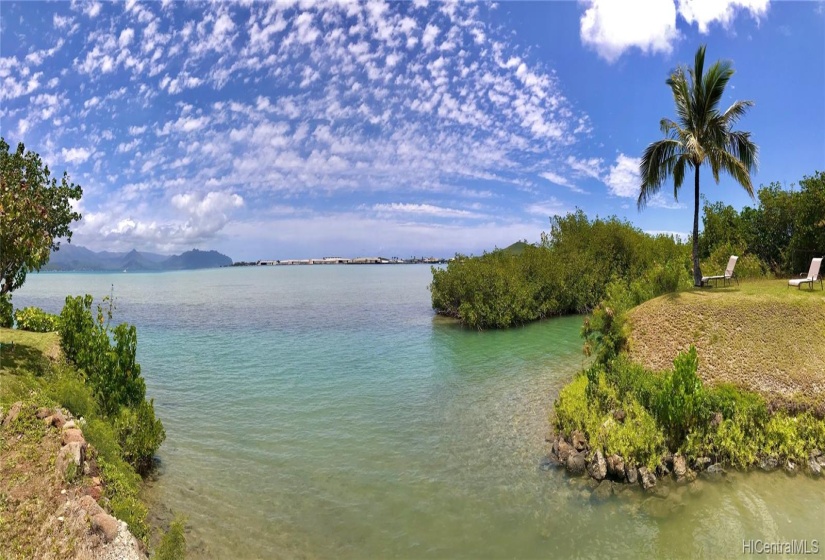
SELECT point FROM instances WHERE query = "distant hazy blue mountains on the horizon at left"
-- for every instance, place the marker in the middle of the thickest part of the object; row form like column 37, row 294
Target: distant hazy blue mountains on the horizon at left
column 74, row 257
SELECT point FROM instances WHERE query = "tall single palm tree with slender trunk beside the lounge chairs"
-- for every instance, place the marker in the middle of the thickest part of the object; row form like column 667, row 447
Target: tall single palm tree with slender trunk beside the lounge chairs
column 701, row 134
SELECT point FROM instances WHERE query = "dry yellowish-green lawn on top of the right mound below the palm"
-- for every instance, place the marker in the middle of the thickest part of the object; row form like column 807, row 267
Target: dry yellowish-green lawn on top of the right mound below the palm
column 760, row 335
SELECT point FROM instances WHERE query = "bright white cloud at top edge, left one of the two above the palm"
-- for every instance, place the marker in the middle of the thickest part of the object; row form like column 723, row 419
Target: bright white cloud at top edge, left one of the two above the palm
column 612, row 27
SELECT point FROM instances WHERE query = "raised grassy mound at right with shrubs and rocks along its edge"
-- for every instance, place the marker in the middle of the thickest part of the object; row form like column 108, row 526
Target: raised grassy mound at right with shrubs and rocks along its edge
column 728, row 376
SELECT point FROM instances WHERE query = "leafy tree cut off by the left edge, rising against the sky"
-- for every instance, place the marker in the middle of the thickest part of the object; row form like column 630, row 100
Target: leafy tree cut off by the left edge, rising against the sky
column 35, row 213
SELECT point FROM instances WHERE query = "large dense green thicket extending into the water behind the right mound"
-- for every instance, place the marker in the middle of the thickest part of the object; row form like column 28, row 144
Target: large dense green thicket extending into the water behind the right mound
column 569, row 273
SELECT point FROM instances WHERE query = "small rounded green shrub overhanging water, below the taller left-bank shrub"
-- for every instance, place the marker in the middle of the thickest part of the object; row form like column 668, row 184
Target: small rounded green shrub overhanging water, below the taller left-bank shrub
column 139, row 434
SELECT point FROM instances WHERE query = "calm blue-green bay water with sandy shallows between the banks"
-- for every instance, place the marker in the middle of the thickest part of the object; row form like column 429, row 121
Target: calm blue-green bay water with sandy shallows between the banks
column 325, row 412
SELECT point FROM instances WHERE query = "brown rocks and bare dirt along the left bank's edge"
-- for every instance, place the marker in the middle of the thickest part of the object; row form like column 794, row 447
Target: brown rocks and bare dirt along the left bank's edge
column 70, row 487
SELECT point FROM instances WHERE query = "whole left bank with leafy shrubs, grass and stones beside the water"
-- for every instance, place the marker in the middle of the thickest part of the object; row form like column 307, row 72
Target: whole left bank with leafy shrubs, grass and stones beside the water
column 76, row 373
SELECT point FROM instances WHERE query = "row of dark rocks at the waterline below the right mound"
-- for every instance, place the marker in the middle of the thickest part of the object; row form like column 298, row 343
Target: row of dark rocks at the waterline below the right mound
column 579, row 459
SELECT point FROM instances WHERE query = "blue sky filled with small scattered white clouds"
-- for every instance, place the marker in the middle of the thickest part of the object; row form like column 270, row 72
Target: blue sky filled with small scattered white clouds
column 305, row 129
